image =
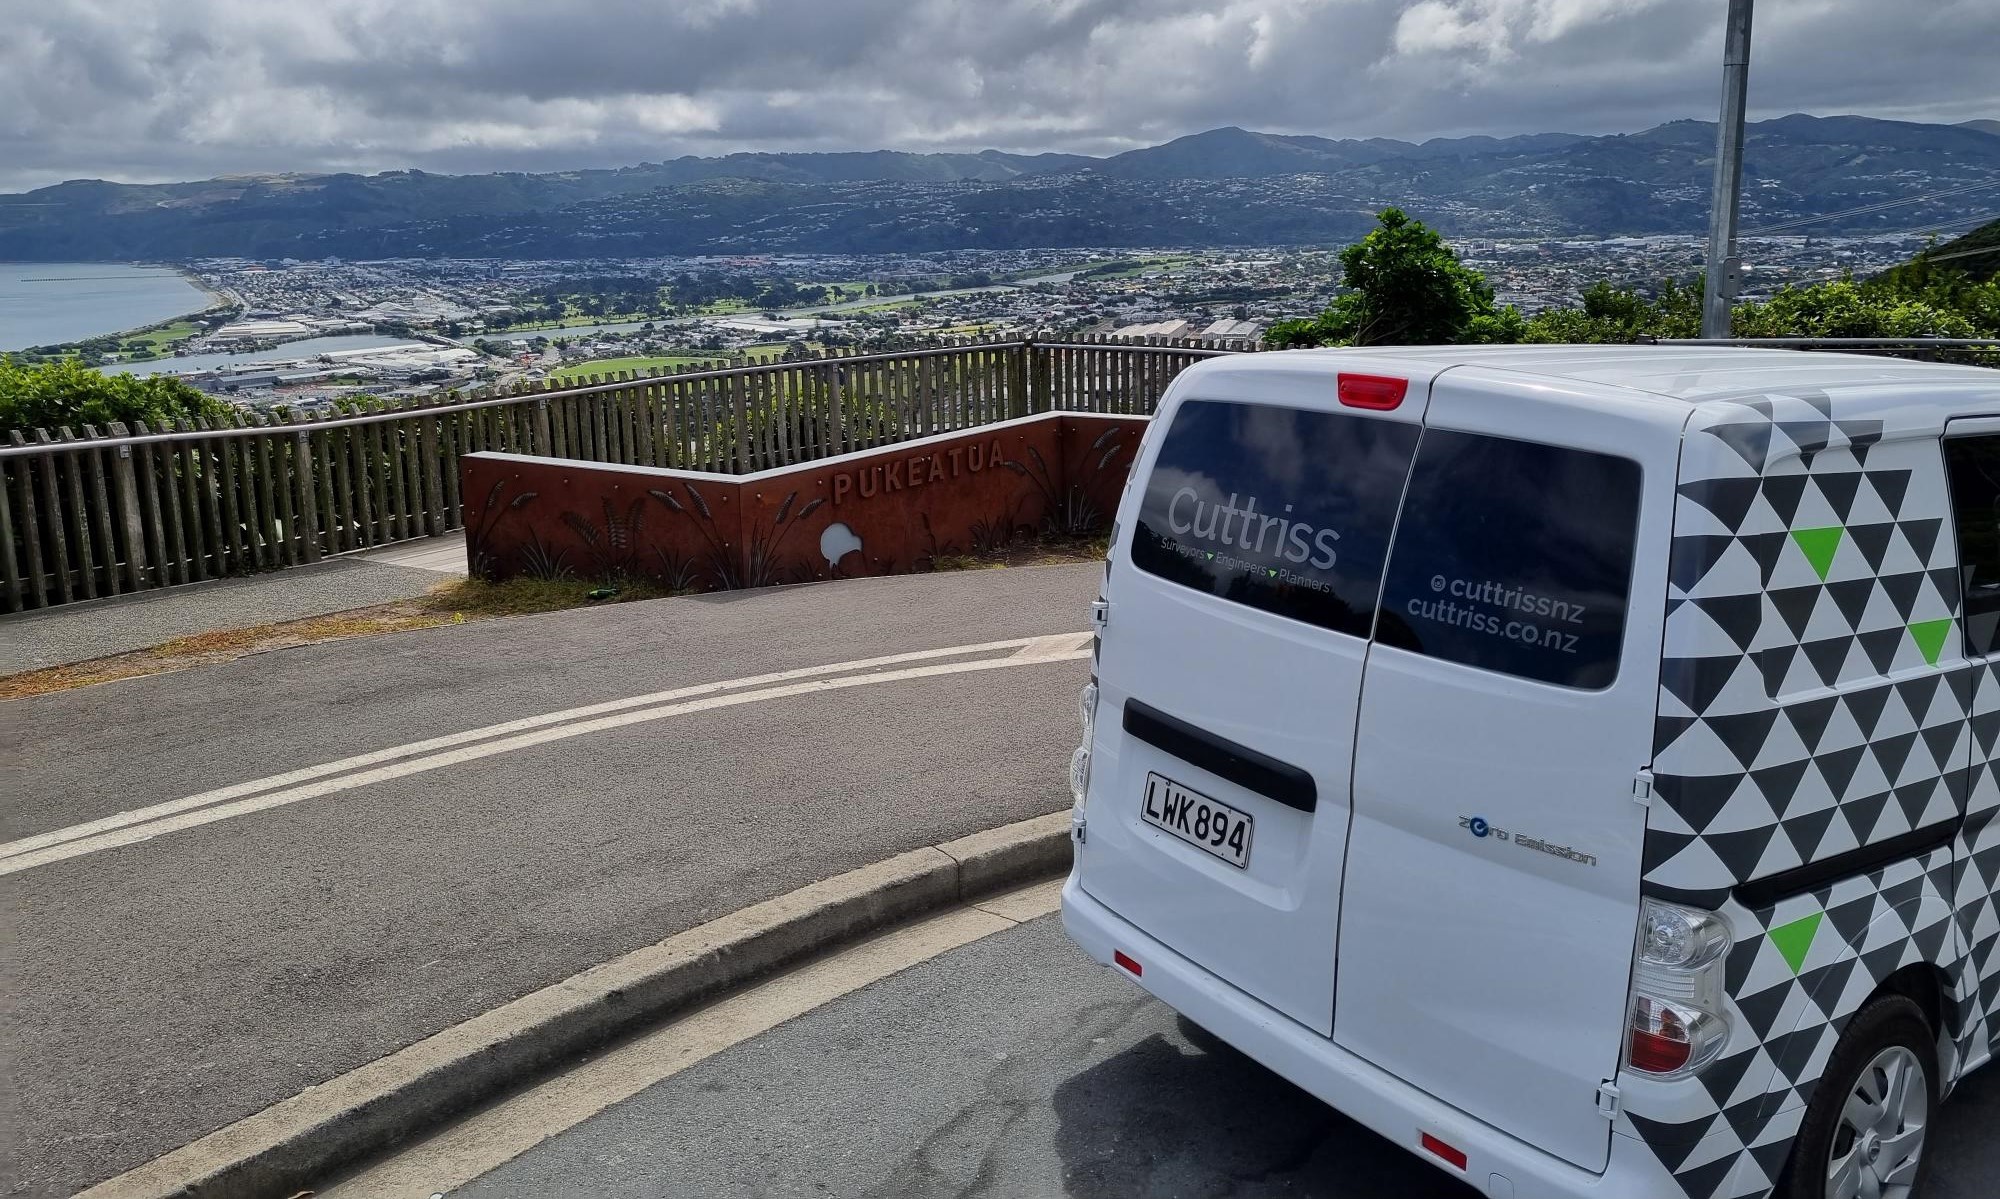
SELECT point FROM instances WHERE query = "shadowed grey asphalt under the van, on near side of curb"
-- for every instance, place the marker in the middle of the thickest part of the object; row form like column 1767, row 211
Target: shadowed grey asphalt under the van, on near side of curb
column 1009, row 1068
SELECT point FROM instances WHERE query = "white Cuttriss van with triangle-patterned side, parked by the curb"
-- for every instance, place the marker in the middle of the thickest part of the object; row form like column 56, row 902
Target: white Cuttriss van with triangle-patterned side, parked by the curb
column 1575, row 764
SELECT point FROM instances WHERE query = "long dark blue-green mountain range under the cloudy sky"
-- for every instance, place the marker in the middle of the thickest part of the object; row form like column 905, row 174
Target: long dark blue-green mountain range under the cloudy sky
column 1217, row 189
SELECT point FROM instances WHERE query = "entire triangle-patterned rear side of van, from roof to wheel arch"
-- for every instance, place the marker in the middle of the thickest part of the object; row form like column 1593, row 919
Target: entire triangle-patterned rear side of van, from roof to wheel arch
column 1813, row 756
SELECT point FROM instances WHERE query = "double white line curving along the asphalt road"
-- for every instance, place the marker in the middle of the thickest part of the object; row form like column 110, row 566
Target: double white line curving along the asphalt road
column 143, row 824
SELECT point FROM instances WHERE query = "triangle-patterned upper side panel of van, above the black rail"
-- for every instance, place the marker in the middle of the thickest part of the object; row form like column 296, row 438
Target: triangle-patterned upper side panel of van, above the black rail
column 1813, row 684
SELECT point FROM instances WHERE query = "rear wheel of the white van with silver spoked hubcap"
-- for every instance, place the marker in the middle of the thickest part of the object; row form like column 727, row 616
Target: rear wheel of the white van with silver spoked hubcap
column 1865, row 1130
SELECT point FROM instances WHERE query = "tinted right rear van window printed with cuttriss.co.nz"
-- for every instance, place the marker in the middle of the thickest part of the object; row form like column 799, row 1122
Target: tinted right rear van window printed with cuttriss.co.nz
column 1515, row 557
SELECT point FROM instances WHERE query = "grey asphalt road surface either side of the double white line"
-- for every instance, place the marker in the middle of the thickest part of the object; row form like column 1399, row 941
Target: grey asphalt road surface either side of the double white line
column 161, row 990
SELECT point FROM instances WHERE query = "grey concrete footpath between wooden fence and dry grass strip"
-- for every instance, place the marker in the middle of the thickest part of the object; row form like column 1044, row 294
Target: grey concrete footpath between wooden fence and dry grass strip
column 99, row 628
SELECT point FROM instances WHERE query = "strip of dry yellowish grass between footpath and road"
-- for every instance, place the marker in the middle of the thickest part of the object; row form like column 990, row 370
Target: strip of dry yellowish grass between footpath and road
column 455, row 602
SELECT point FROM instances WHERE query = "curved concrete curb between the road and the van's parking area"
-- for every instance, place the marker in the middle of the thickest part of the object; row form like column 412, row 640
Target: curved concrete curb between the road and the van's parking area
column 369, row 1110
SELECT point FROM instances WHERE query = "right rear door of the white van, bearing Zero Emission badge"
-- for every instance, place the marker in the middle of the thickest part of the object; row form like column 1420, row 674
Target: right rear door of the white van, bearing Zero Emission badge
column 1495, row 860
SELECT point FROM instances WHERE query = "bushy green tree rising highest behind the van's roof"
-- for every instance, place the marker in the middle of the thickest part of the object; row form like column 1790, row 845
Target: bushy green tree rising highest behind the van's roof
column 1405, row 289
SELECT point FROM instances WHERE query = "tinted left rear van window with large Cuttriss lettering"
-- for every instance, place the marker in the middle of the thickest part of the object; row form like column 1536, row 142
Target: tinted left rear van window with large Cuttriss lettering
column 1277, row 509
